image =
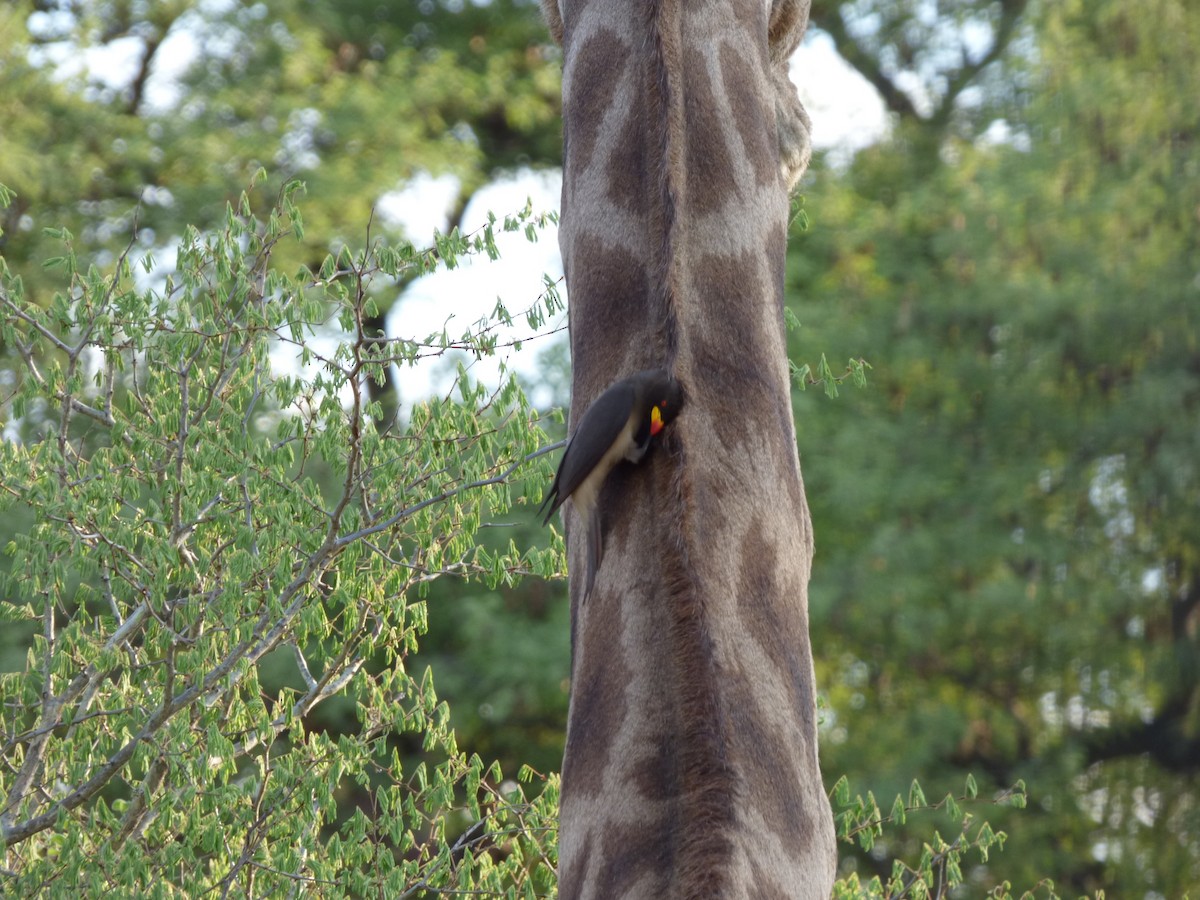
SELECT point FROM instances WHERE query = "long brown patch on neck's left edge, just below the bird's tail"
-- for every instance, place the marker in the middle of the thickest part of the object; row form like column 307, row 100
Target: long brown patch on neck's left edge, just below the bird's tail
column 599, row 705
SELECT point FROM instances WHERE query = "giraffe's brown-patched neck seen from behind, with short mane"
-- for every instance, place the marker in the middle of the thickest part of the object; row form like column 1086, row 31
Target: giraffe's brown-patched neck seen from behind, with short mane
column 692, row 765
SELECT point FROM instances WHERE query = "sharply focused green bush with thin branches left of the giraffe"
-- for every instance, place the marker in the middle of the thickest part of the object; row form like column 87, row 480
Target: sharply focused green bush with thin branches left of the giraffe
column 218, row 548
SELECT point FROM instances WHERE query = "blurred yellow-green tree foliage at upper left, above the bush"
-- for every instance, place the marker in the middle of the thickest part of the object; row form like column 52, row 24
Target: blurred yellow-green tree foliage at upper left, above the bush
column 357, row 99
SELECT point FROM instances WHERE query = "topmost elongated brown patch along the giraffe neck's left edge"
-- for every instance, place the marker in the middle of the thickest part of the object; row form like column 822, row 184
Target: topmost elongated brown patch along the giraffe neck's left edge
column 593, row 82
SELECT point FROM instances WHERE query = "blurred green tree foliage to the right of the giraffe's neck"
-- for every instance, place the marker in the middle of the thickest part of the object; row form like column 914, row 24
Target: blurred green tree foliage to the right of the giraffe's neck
column 1007, row 577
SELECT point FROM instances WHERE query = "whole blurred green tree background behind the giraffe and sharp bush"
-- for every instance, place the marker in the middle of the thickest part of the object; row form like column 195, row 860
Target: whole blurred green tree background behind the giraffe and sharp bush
column 1007, row 517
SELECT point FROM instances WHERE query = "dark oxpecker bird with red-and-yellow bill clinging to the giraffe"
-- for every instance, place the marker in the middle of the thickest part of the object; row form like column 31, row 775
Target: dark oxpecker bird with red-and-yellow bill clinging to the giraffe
column 619, row 425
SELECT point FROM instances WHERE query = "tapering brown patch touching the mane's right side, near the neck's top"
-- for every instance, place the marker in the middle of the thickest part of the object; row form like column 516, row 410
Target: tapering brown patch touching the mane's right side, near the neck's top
column 707, row 161
